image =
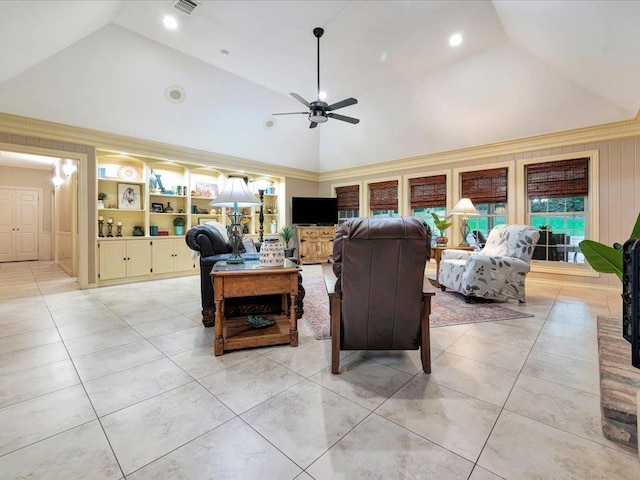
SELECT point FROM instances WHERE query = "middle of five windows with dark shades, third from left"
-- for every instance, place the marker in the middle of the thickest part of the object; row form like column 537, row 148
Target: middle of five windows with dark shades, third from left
column 428, row 195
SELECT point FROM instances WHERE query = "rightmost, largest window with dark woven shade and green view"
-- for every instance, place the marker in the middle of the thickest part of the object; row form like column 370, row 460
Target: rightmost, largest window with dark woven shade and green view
column 557, row 198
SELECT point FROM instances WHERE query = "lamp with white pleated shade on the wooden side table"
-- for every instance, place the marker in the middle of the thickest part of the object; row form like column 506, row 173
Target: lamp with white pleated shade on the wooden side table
column 235, row 194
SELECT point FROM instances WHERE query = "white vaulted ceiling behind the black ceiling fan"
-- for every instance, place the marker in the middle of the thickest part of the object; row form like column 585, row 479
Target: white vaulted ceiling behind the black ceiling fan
column 525, row 68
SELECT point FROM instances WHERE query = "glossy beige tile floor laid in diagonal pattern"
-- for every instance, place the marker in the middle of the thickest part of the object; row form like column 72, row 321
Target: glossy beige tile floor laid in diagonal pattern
column 120, row 382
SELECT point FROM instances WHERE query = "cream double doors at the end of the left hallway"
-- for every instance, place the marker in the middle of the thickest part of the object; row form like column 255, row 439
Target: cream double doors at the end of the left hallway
column 19, row 213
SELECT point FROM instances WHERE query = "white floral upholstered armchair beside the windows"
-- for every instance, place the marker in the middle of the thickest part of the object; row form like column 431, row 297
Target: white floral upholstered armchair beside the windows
column 497, row 271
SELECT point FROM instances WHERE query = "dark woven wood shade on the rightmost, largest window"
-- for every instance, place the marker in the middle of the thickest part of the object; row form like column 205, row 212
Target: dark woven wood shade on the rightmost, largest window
column 566, row 178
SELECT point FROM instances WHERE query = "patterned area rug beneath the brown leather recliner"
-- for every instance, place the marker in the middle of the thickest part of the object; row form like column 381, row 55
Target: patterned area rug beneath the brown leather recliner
column 447, row 308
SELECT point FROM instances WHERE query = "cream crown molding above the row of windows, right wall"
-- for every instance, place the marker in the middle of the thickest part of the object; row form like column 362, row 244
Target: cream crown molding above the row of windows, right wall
column 597, row 133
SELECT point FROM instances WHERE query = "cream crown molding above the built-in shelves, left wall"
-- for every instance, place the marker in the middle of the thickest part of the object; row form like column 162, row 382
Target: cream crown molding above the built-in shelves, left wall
column 18, row 125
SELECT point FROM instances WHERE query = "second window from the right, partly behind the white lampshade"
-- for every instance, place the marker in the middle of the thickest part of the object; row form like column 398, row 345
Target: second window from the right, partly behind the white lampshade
column 487, row 189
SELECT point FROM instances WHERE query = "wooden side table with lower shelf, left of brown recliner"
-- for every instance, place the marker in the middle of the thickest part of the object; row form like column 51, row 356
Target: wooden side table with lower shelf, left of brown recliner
column 250, row 279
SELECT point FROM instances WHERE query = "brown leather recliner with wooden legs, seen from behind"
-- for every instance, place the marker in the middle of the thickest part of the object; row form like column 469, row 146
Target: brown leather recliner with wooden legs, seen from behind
column 382, row 298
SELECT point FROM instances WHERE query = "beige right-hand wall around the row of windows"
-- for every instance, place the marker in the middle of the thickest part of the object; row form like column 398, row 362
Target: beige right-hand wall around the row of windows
column 618, row 187
